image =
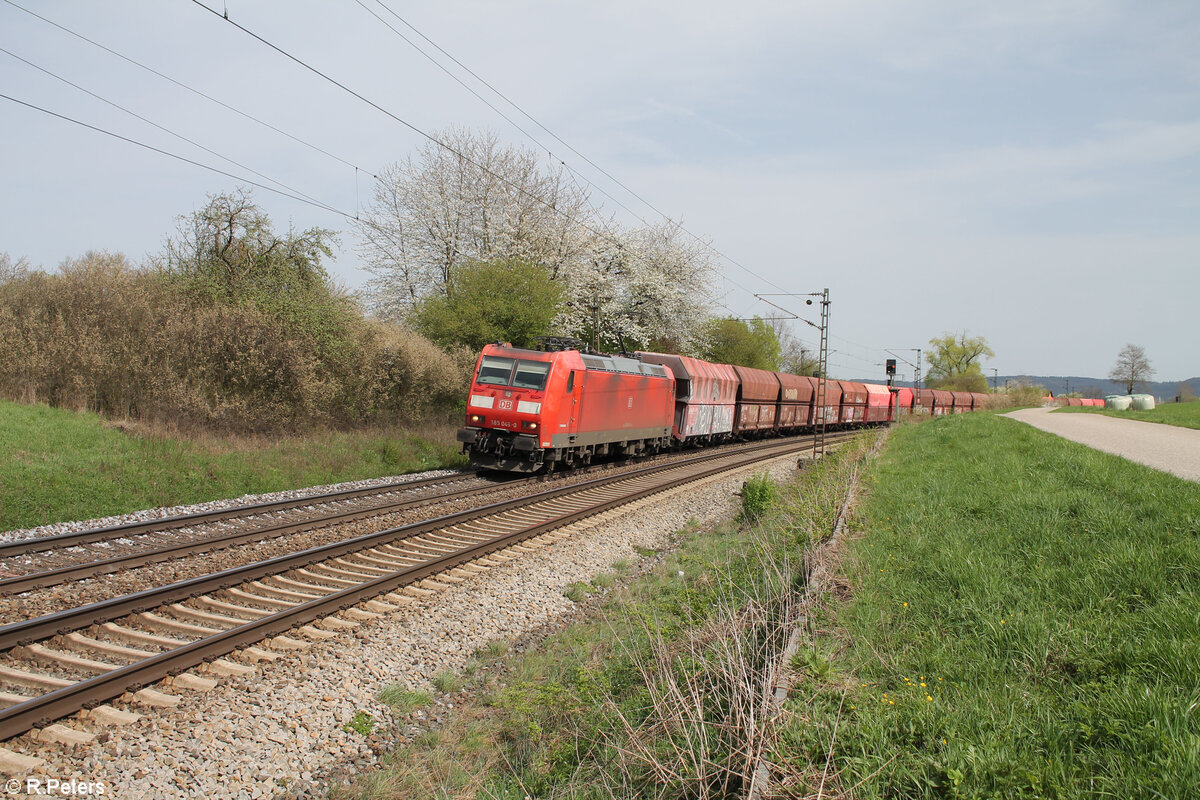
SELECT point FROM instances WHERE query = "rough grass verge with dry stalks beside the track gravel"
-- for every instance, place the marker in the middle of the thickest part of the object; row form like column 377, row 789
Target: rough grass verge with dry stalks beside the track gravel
column 657, row 693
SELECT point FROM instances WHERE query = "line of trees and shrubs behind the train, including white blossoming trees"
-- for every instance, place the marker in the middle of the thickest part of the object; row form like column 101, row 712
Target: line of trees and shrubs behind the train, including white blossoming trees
column 236, row 323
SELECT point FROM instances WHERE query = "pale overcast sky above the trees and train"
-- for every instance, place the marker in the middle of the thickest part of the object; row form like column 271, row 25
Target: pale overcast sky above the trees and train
column 1027, row 172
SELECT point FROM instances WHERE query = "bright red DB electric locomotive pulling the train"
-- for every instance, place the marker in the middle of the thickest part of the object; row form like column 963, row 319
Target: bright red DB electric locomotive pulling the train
column 531, row 410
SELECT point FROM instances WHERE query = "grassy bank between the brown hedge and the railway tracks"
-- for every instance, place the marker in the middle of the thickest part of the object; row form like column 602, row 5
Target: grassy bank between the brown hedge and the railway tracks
column 62, row 466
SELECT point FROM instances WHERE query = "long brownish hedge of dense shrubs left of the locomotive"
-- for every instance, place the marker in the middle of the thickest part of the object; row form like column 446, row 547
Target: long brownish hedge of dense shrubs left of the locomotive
column 106, row 336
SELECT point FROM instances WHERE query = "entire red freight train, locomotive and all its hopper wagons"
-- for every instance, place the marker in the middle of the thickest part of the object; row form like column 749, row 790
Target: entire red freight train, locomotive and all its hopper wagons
column 532, row 411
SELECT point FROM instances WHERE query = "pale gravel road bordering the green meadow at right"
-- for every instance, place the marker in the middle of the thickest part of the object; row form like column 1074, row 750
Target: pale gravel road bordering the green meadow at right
column 1167, row 448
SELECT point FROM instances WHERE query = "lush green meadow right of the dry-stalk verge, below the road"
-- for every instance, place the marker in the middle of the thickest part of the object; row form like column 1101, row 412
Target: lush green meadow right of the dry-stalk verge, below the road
column 1024, row 623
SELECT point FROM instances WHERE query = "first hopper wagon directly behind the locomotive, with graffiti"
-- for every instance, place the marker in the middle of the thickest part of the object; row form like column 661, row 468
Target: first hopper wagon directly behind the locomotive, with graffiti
column 706, row 396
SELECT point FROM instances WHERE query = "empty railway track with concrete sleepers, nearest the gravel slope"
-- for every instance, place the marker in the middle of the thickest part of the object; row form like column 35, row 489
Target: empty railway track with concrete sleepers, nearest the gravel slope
column 57, row 665
